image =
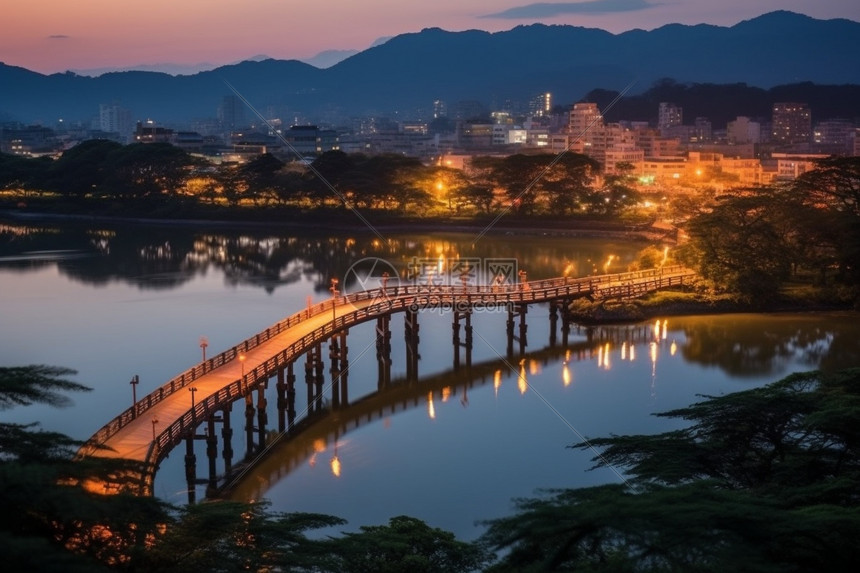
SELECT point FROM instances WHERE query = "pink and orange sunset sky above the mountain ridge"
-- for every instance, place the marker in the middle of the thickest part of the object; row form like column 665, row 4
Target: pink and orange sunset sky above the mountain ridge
column 57, row 35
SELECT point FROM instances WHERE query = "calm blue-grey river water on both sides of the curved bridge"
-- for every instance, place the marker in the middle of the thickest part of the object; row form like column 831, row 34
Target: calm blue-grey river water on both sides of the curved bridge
column 114, row 302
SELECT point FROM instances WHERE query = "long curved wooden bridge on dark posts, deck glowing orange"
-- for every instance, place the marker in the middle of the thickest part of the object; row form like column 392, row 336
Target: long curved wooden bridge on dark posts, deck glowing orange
column 158, row 422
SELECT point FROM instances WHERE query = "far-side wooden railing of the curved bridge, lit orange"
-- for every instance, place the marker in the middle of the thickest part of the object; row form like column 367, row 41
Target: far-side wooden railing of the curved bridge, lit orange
column 430, row 295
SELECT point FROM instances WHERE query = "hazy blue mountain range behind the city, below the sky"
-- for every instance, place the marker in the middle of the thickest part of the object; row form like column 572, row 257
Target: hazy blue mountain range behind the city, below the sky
column 406, row 73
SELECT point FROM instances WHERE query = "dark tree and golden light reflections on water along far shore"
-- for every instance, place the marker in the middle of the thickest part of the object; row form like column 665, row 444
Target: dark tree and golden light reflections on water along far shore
column 164, row 257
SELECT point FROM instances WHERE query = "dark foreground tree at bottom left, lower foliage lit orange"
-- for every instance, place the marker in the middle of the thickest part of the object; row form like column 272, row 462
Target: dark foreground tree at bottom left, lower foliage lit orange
column 50, row 519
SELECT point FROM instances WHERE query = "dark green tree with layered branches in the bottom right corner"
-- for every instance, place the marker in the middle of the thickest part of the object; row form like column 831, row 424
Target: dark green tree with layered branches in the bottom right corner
column 761, row 480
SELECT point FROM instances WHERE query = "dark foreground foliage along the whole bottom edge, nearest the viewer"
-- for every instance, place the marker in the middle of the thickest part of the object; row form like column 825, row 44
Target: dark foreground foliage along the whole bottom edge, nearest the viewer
column 761, row 480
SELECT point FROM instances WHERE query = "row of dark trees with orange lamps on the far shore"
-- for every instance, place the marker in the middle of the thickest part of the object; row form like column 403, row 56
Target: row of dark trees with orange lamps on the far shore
column 157, row 176
